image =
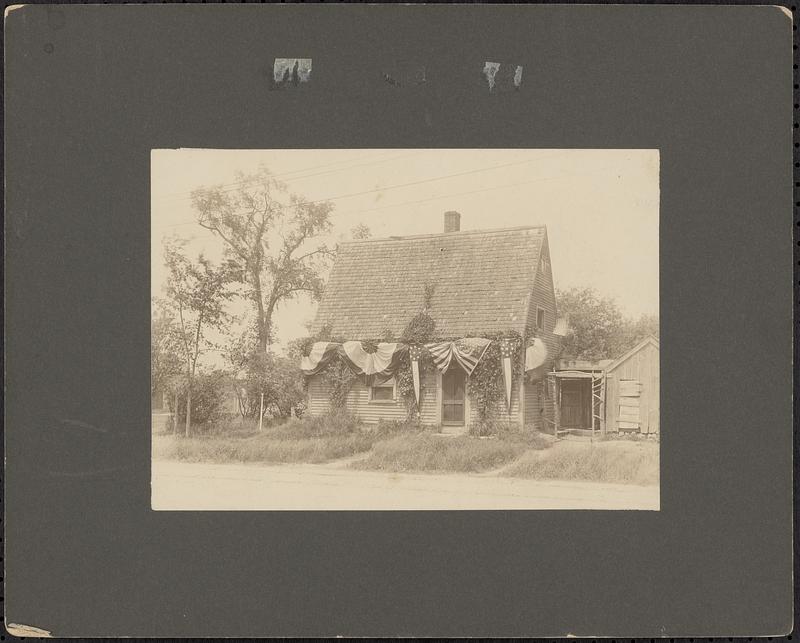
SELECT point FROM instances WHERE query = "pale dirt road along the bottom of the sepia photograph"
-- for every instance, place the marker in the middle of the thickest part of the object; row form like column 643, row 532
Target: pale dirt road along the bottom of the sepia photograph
column 177, row 485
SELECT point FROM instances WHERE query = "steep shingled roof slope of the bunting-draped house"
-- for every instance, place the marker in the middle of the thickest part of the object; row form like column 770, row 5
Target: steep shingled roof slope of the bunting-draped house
column 482, row 281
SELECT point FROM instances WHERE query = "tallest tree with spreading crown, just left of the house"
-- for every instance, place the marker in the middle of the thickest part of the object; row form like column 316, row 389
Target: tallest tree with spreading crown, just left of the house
column 272, row 234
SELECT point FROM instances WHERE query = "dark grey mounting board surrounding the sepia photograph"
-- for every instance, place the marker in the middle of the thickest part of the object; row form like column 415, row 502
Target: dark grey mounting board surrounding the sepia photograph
column 91, row 89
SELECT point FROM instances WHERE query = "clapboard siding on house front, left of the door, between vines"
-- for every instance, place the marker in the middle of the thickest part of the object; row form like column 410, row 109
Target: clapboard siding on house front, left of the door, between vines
column 371, row 412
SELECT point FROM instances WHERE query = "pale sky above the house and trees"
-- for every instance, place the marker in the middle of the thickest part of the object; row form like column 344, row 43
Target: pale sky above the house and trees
column 601, row 207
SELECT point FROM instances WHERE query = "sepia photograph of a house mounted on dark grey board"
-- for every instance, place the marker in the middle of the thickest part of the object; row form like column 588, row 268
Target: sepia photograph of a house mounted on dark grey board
column 405, row 329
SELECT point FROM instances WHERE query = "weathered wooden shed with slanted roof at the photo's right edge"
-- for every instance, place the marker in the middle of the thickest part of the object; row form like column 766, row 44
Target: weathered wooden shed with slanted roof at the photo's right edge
column 632, row 390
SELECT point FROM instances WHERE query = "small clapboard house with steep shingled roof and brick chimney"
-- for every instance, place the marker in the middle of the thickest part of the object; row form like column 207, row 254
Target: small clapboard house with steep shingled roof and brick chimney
column 470, row 282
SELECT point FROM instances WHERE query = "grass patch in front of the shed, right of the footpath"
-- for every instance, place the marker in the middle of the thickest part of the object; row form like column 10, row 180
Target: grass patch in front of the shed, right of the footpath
column 599, row 462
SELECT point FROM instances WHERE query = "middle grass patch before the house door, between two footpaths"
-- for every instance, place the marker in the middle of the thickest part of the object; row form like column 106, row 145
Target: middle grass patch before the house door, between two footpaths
column 426, row 452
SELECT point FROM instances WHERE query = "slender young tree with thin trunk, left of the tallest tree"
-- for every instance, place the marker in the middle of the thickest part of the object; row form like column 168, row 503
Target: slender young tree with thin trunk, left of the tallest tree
column 197, row 291
